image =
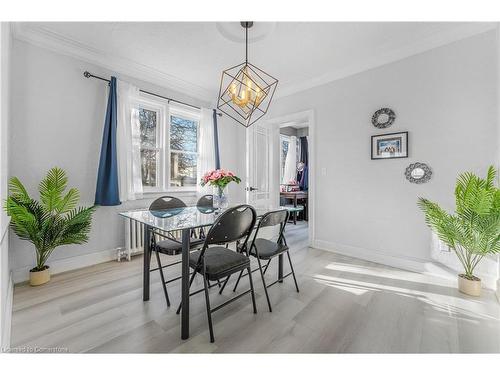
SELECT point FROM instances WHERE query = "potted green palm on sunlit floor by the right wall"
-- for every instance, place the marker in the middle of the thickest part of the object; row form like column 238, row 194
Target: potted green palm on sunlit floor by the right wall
column 474, row 230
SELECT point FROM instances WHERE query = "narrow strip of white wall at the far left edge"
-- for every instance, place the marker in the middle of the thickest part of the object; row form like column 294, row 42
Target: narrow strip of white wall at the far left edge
column 5, row 274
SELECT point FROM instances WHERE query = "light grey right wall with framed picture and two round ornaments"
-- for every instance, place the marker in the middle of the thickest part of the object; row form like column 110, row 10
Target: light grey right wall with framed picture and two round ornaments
column 446, row 99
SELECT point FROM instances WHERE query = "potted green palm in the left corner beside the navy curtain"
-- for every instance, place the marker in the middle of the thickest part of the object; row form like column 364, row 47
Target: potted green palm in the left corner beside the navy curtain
column 53, row 221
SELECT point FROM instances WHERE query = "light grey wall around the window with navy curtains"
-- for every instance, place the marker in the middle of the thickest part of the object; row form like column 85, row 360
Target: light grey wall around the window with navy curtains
column 57, row 119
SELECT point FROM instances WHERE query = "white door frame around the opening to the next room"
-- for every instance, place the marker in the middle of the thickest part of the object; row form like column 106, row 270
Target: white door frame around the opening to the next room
column 274, row 125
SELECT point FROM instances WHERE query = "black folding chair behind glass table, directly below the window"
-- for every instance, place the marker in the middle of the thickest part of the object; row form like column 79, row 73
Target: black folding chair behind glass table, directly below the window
column 169, row 245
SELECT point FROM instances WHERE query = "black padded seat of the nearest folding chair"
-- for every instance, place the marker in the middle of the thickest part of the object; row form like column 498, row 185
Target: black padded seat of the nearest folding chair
column 220, row 262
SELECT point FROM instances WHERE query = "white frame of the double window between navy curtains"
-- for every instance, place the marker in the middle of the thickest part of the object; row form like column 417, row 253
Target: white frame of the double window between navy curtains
column 163, row 141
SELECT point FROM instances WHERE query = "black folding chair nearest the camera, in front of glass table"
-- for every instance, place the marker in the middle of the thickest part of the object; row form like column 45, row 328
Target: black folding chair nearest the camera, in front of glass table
column 216, row 262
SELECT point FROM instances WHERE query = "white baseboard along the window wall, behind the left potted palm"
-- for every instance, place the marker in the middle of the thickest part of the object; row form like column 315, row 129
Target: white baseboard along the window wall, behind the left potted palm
column 67, row 264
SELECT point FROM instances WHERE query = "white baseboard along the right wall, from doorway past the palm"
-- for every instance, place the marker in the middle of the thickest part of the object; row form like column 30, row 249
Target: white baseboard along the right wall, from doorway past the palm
column 406, row 263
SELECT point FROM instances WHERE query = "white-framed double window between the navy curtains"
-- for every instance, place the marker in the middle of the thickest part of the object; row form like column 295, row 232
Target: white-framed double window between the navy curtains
column 169, row 146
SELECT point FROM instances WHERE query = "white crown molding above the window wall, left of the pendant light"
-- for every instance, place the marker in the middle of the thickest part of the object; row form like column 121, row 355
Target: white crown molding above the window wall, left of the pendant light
column 58, row 43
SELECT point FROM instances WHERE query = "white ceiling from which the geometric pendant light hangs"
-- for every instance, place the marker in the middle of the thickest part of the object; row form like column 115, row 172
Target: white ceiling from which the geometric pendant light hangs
column 191, row 55
